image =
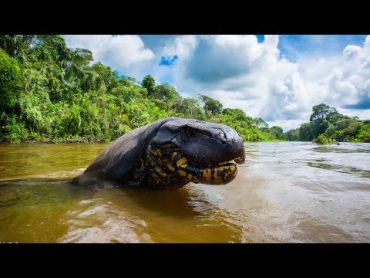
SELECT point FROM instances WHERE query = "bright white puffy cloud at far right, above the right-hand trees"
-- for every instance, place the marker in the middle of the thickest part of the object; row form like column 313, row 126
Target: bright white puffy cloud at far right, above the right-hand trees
column 342, row 81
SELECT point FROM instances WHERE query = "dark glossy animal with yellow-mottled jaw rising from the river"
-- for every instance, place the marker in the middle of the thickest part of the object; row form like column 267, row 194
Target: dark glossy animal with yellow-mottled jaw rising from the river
column 169, row 154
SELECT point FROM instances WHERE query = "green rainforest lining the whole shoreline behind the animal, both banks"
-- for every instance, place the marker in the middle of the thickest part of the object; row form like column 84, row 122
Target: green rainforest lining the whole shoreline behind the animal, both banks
column 50, row 93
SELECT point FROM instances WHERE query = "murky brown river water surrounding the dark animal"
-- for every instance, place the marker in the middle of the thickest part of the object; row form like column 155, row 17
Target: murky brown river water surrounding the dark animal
column 285, row 192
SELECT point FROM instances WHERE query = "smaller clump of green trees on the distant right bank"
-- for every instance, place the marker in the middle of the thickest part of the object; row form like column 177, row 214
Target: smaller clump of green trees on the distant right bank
column 327, row 126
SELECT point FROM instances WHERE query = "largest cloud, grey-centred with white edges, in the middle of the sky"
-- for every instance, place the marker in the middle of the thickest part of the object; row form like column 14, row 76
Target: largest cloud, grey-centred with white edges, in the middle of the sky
column 241, row 72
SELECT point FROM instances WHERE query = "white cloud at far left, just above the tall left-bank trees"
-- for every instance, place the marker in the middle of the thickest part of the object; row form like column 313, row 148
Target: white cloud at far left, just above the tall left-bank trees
column 126, row 54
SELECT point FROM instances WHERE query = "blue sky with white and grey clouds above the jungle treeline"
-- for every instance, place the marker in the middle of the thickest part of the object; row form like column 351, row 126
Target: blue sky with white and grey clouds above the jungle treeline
column 275, row 77
